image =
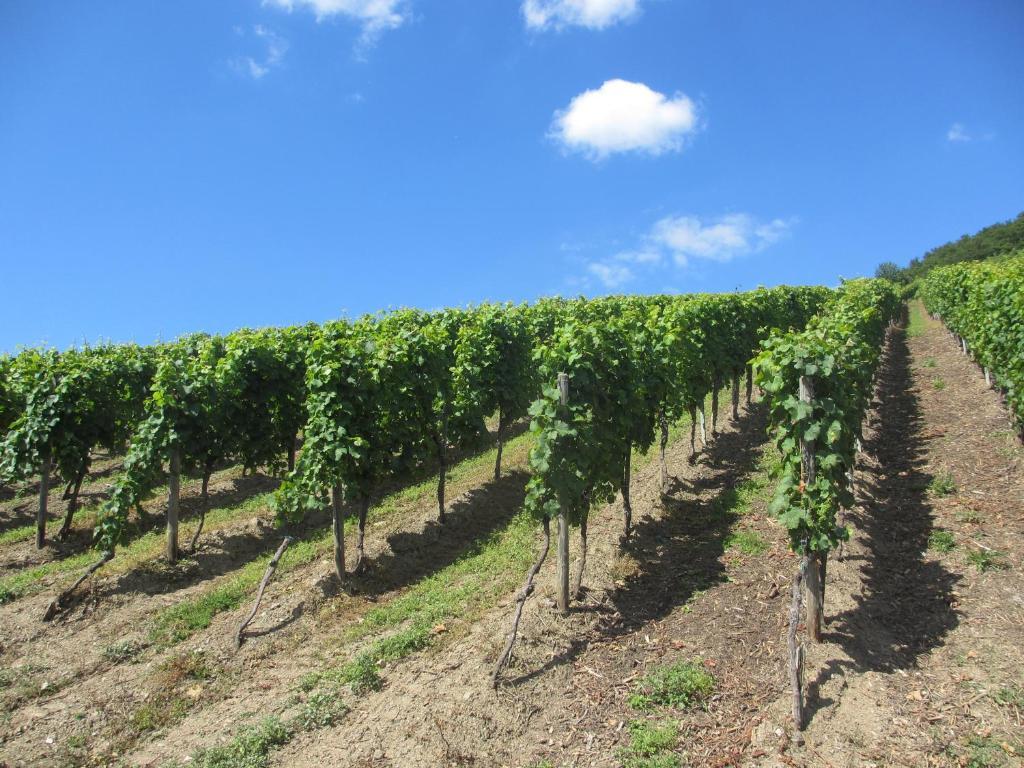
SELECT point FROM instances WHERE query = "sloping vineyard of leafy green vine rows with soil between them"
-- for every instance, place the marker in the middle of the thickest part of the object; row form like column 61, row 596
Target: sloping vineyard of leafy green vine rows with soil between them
column 568, row 533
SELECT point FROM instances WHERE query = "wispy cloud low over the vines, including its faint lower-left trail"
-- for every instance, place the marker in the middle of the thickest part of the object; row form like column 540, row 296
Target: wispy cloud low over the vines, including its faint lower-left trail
column 673, row 242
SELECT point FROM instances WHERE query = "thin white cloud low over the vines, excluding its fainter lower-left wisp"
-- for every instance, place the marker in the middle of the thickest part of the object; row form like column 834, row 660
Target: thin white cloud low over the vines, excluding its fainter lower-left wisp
column 719, row 240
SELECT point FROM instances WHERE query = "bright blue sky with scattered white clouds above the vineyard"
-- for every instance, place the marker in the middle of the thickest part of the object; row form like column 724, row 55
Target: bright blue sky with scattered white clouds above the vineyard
column 168, row 167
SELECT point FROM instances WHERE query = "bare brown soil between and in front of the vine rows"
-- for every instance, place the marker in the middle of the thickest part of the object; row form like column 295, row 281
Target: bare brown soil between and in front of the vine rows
column 922, row 663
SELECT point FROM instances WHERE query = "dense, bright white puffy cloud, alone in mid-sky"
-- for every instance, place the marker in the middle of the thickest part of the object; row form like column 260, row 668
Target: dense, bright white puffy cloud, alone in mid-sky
column 625, row 117
